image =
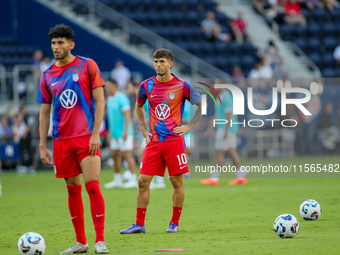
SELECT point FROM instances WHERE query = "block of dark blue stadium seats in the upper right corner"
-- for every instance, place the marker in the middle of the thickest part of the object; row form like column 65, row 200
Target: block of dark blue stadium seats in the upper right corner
column 318, row 39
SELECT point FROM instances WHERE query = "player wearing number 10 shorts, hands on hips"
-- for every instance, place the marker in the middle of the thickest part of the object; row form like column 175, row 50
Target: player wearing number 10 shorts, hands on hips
column 165, row 147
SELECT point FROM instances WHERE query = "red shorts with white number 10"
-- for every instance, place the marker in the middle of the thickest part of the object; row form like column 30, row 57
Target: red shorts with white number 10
column 158, row 155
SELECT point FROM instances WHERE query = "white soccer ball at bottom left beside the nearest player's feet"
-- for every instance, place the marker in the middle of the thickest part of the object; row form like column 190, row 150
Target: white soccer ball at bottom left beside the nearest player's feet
column 31, row 244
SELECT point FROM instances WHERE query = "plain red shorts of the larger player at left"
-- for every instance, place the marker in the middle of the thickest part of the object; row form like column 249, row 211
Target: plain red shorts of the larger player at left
column 68, row 153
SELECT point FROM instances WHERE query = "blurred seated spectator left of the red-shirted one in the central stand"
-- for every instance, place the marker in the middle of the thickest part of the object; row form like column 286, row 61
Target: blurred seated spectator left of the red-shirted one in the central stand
column 212, row 30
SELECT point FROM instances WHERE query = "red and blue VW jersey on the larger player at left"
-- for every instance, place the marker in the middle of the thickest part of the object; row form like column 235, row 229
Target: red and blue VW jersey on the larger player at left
column 69, row 89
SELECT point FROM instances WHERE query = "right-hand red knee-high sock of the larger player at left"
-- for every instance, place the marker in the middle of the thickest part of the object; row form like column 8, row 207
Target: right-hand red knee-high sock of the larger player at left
column 97, row 208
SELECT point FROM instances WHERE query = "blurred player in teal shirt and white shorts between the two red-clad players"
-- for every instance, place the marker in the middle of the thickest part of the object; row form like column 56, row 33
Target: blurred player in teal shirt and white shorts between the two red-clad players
column 120, row 135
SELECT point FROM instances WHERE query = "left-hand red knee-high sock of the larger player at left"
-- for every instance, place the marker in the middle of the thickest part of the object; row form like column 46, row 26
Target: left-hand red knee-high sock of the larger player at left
column 75, row 205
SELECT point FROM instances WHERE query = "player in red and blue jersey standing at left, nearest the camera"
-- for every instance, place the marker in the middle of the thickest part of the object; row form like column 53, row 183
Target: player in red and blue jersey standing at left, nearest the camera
column 75, row 87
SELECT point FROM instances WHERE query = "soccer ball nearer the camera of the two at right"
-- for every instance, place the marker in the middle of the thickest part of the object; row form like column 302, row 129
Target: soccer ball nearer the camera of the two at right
column 286, row 226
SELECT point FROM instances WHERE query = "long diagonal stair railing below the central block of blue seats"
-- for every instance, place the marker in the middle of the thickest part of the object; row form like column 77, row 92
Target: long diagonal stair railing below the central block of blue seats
column 129, row 27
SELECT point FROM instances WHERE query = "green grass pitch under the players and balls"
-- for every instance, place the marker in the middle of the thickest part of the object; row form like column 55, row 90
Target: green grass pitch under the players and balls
column 215, row 220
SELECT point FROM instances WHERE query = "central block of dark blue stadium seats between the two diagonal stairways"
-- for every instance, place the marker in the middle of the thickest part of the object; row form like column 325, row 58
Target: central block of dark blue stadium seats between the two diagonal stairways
column 180, row 22
